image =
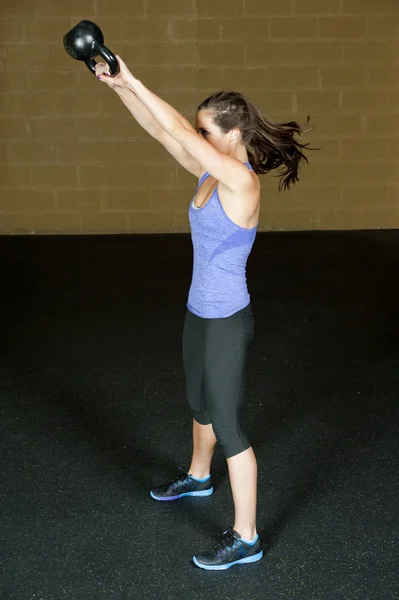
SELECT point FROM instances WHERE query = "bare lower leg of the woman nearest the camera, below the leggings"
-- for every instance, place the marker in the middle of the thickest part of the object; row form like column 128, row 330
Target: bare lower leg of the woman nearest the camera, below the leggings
column 243, row 474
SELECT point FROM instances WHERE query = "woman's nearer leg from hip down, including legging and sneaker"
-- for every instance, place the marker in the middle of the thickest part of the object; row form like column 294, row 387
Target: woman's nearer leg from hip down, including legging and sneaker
column 227, row 343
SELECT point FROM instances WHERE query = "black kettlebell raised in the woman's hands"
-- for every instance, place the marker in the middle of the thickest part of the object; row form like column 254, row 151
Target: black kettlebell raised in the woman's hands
column 86, row 41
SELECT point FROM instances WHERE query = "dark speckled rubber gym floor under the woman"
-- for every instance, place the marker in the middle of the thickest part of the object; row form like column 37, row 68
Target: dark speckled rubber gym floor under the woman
column 93, row 414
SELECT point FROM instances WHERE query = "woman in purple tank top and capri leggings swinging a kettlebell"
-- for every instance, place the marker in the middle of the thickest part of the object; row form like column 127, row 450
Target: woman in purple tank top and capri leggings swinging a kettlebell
column 231, row 145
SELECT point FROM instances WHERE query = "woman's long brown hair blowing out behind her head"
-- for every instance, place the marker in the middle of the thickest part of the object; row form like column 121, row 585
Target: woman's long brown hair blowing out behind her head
column 269, row 145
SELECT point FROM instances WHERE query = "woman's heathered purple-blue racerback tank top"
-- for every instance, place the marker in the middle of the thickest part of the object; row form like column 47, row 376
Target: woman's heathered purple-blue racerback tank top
column 221, row 249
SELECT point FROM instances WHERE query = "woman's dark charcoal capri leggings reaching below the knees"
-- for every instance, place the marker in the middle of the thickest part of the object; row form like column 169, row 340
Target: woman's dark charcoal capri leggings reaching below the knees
column 214, row 360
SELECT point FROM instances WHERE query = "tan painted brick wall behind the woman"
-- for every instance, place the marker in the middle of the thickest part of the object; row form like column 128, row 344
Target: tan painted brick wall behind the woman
column 72, row 159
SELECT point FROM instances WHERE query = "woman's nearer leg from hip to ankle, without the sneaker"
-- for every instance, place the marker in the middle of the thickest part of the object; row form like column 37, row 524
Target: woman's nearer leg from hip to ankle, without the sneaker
column 226, row 362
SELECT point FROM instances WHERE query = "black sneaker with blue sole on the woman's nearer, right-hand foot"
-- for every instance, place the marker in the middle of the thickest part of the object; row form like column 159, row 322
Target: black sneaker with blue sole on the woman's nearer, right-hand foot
column 232, row 550
